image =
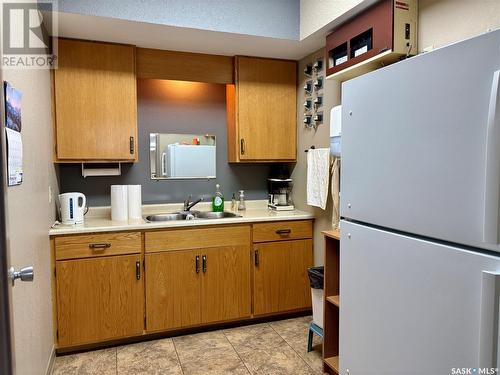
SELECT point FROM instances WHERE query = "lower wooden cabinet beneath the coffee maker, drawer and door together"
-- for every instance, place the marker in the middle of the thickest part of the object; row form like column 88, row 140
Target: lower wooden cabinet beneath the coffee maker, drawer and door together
column 280, row 266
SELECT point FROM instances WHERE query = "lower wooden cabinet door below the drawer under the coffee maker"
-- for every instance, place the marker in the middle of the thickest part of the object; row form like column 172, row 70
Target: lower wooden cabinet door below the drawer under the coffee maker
column 280, row 276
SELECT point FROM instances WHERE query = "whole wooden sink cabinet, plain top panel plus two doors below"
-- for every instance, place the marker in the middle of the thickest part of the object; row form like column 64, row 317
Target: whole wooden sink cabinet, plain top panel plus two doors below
column 197, row 276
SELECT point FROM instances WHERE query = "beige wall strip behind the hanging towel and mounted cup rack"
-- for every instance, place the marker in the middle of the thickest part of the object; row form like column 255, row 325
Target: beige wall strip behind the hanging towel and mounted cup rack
column 319, row 138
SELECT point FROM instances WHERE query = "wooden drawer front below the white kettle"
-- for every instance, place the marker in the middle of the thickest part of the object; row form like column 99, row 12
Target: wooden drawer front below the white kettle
column 96, row 245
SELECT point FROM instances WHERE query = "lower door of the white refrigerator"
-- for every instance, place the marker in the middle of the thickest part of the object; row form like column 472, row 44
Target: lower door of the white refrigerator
column 413, row 307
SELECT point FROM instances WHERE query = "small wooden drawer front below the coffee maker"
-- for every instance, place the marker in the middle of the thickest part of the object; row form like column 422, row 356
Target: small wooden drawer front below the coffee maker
column 282, row 231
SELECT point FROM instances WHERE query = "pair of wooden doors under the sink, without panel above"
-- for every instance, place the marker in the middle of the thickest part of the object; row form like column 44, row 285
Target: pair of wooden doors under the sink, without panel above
column 179, row 296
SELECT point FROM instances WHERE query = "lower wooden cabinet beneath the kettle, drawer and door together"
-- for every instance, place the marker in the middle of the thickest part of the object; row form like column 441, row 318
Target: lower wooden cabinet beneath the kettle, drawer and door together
column 98, row 297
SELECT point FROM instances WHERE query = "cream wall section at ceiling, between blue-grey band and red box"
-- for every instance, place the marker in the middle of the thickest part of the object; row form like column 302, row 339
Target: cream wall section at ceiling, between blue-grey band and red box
column 314, row 14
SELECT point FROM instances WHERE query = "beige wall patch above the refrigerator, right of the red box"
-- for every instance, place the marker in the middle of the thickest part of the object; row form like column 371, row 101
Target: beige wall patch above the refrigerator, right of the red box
column 443, row 22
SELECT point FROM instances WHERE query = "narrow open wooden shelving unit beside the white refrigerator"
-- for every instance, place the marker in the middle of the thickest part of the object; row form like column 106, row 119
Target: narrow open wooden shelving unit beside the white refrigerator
column 332, row 302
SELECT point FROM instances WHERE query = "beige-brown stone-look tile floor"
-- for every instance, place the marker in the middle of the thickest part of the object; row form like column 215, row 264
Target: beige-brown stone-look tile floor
column 278, row 347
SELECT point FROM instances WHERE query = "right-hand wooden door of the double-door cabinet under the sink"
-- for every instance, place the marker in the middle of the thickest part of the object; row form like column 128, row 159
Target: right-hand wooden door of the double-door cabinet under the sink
column 225, row 283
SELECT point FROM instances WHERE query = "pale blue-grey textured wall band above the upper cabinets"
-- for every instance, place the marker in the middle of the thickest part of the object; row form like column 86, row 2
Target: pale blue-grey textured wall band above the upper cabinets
column 268, row 18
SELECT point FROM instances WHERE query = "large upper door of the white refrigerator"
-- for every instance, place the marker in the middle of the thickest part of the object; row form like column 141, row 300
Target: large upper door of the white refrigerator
column 414, row 144
